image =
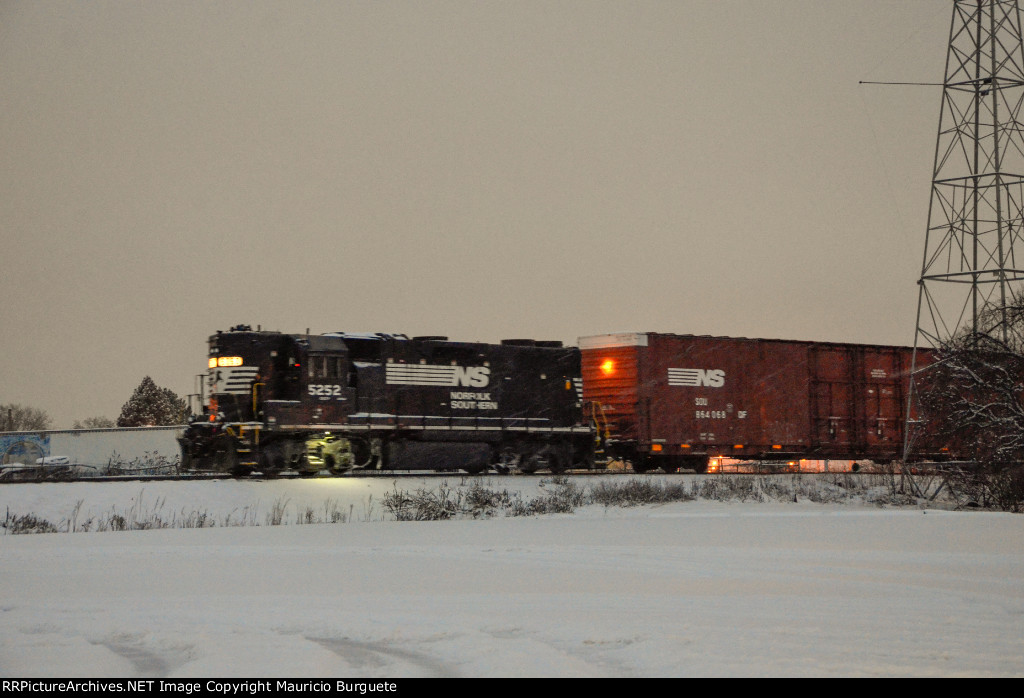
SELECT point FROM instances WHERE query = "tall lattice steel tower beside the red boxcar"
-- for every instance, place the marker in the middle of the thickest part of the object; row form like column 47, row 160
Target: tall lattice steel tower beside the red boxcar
column 973, row 248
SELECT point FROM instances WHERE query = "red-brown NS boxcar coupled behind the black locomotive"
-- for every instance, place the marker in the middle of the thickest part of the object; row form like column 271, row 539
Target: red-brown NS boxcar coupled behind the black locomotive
column 675, row 401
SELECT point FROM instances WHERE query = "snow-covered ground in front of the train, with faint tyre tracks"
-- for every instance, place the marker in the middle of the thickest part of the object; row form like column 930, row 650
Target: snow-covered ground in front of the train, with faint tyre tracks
column 699, row 588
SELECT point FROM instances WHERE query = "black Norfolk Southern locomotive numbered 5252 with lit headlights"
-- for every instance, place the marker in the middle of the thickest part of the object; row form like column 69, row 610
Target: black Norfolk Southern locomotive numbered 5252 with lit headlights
column 277, row 403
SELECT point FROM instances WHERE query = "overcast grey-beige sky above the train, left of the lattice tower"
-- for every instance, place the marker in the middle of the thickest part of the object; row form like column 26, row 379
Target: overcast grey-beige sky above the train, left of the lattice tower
column 482, row 170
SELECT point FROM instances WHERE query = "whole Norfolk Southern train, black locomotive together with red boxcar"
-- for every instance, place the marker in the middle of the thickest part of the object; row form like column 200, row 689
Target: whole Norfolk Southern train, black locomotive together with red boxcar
column 342, row 402
